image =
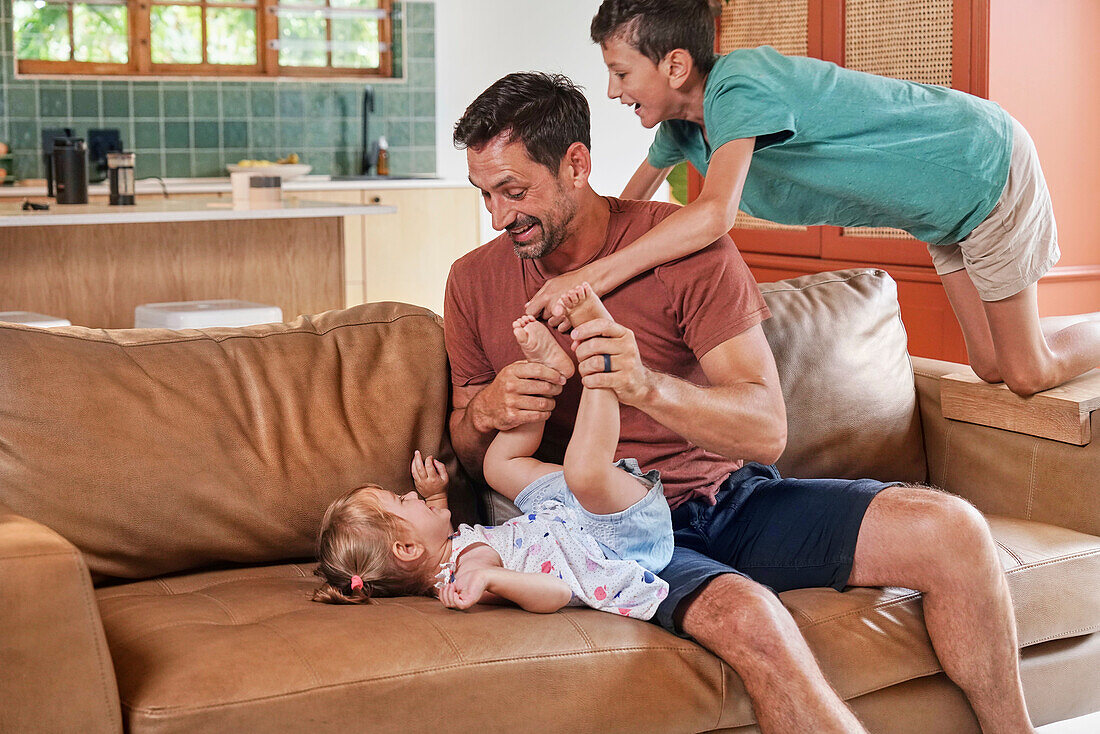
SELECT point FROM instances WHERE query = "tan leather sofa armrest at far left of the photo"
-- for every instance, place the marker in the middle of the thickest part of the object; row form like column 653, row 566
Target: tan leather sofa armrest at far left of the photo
column 54, row 663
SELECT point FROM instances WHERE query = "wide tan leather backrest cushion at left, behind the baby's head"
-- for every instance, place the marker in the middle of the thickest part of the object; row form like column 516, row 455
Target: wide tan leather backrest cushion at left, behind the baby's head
column 157, row 452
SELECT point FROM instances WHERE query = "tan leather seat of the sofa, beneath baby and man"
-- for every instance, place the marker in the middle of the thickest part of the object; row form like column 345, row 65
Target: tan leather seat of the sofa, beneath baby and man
column 246, row 651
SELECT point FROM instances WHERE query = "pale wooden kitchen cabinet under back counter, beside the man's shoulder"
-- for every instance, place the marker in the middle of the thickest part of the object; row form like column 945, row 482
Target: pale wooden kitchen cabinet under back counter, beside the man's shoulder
column 406, row 256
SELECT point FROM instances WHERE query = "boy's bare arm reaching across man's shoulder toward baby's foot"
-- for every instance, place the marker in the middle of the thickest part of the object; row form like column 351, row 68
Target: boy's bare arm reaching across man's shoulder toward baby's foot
column 684, row 233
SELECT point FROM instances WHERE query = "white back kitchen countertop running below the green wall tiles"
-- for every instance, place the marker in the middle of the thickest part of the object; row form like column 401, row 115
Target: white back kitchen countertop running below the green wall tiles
column 152, row 187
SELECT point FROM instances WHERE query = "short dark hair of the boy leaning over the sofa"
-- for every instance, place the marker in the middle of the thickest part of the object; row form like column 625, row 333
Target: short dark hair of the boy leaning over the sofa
column 657, row 27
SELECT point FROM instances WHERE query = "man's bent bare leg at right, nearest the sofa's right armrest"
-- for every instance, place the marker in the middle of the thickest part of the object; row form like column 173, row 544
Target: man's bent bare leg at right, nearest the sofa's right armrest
column 950, row 556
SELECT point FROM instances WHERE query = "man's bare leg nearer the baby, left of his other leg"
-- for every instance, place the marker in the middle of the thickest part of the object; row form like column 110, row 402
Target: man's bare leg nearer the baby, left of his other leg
column 747, row 627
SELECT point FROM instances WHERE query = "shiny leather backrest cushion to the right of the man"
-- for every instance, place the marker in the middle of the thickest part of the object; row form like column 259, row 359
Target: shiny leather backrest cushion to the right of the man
column 843, row 361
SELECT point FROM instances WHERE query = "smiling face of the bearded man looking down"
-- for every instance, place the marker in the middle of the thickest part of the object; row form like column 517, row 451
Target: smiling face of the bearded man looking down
column 534, row 206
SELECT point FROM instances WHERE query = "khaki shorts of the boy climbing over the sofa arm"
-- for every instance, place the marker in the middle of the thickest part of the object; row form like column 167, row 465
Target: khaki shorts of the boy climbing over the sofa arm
column 1018, row 243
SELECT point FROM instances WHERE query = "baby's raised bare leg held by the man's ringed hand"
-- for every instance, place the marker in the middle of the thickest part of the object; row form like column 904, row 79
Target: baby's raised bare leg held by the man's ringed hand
column 593, row 479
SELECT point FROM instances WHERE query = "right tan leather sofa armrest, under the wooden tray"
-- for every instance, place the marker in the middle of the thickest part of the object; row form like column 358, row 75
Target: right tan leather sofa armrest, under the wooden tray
column 1005, row 473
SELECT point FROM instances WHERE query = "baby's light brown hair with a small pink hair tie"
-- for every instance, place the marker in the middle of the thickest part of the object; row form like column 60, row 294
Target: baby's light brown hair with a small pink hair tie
column 357, row 539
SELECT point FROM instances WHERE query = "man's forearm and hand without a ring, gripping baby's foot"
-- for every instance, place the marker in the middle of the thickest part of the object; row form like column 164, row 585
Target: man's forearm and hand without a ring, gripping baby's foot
column 522, row 393
